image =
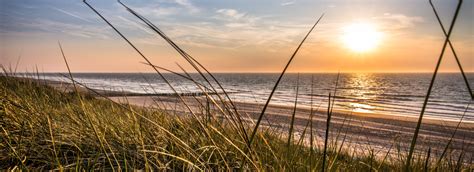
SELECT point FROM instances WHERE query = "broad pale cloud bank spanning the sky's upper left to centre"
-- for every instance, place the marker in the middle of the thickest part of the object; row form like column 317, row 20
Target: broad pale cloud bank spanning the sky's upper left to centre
column 227, row 28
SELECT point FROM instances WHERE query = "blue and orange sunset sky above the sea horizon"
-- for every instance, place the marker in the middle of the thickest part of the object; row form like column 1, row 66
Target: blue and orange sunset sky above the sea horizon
column 233, row 36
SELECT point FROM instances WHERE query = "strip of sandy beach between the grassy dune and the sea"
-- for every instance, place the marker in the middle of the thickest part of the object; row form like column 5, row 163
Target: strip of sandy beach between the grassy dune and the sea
column 362, row 129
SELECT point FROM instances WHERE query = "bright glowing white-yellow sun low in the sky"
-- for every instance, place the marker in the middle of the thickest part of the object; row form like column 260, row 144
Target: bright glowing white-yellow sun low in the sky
column 361, row 37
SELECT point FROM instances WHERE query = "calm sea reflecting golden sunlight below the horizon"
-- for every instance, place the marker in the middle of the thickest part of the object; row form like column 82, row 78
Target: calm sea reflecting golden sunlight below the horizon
column 394, row 94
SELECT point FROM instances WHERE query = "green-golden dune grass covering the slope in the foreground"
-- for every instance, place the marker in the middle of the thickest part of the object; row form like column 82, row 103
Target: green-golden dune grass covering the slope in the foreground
column 44, row 129
